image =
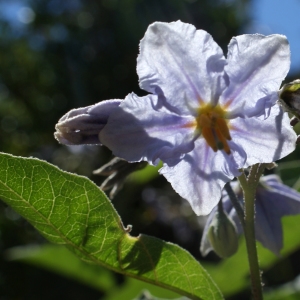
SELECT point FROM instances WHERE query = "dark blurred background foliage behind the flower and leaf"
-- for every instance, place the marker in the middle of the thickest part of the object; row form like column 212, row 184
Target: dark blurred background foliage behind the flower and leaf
column 73, row 53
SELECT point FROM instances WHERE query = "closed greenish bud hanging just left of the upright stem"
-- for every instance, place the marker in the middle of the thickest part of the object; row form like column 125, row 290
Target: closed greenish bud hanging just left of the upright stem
column 222, row 235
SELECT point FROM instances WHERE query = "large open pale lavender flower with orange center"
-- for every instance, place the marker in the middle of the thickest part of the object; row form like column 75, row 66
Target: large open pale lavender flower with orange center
column 206, row 116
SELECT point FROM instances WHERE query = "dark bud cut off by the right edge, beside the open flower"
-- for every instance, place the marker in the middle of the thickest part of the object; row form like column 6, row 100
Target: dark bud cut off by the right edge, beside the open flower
column 289, row 97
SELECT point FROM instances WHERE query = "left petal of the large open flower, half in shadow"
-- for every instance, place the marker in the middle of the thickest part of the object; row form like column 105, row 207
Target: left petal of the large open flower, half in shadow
column 143, row 129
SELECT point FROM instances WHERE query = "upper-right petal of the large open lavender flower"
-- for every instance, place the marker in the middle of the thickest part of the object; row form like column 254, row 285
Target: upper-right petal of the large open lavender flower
column 257, row 65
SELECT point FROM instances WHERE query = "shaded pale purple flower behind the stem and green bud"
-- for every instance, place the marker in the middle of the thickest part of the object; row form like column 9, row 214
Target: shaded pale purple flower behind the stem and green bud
column 273, row 201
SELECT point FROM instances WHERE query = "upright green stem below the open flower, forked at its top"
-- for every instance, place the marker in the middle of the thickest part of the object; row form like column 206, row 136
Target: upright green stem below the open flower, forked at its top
column 249, row 186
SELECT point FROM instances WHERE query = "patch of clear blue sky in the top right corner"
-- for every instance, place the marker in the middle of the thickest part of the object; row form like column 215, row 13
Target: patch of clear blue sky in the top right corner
column 278, row 16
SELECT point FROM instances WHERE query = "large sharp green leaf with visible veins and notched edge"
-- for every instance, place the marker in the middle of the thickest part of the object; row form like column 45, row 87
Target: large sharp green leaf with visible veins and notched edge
column 71, row 210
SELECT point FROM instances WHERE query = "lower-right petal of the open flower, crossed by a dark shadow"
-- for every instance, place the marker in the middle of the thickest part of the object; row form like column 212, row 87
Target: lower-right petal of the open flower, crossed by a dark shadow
column 264, row 141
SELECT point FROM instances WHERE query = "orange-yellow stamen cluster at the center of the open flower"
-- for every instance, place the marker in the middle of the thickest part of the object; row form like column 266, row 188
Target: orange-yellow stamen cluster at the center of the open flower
column 214, row 128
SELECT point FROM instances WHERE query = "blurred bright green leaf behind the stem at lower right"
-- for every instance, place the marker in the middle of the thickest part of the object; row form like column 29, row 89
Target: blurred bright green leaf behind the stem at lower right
column 237, row 265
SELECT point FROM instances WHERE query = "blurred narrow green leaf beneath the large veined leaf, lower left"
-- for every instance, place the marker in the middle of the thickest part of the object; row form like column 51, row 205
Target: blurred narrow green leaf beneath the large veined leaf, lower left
column 58, row 259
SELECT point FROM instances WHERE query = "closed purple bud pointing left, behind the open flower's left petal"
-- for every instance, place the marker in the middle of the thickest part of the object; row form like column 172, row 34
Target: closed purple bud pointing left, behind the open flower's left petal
column 83, row 125
